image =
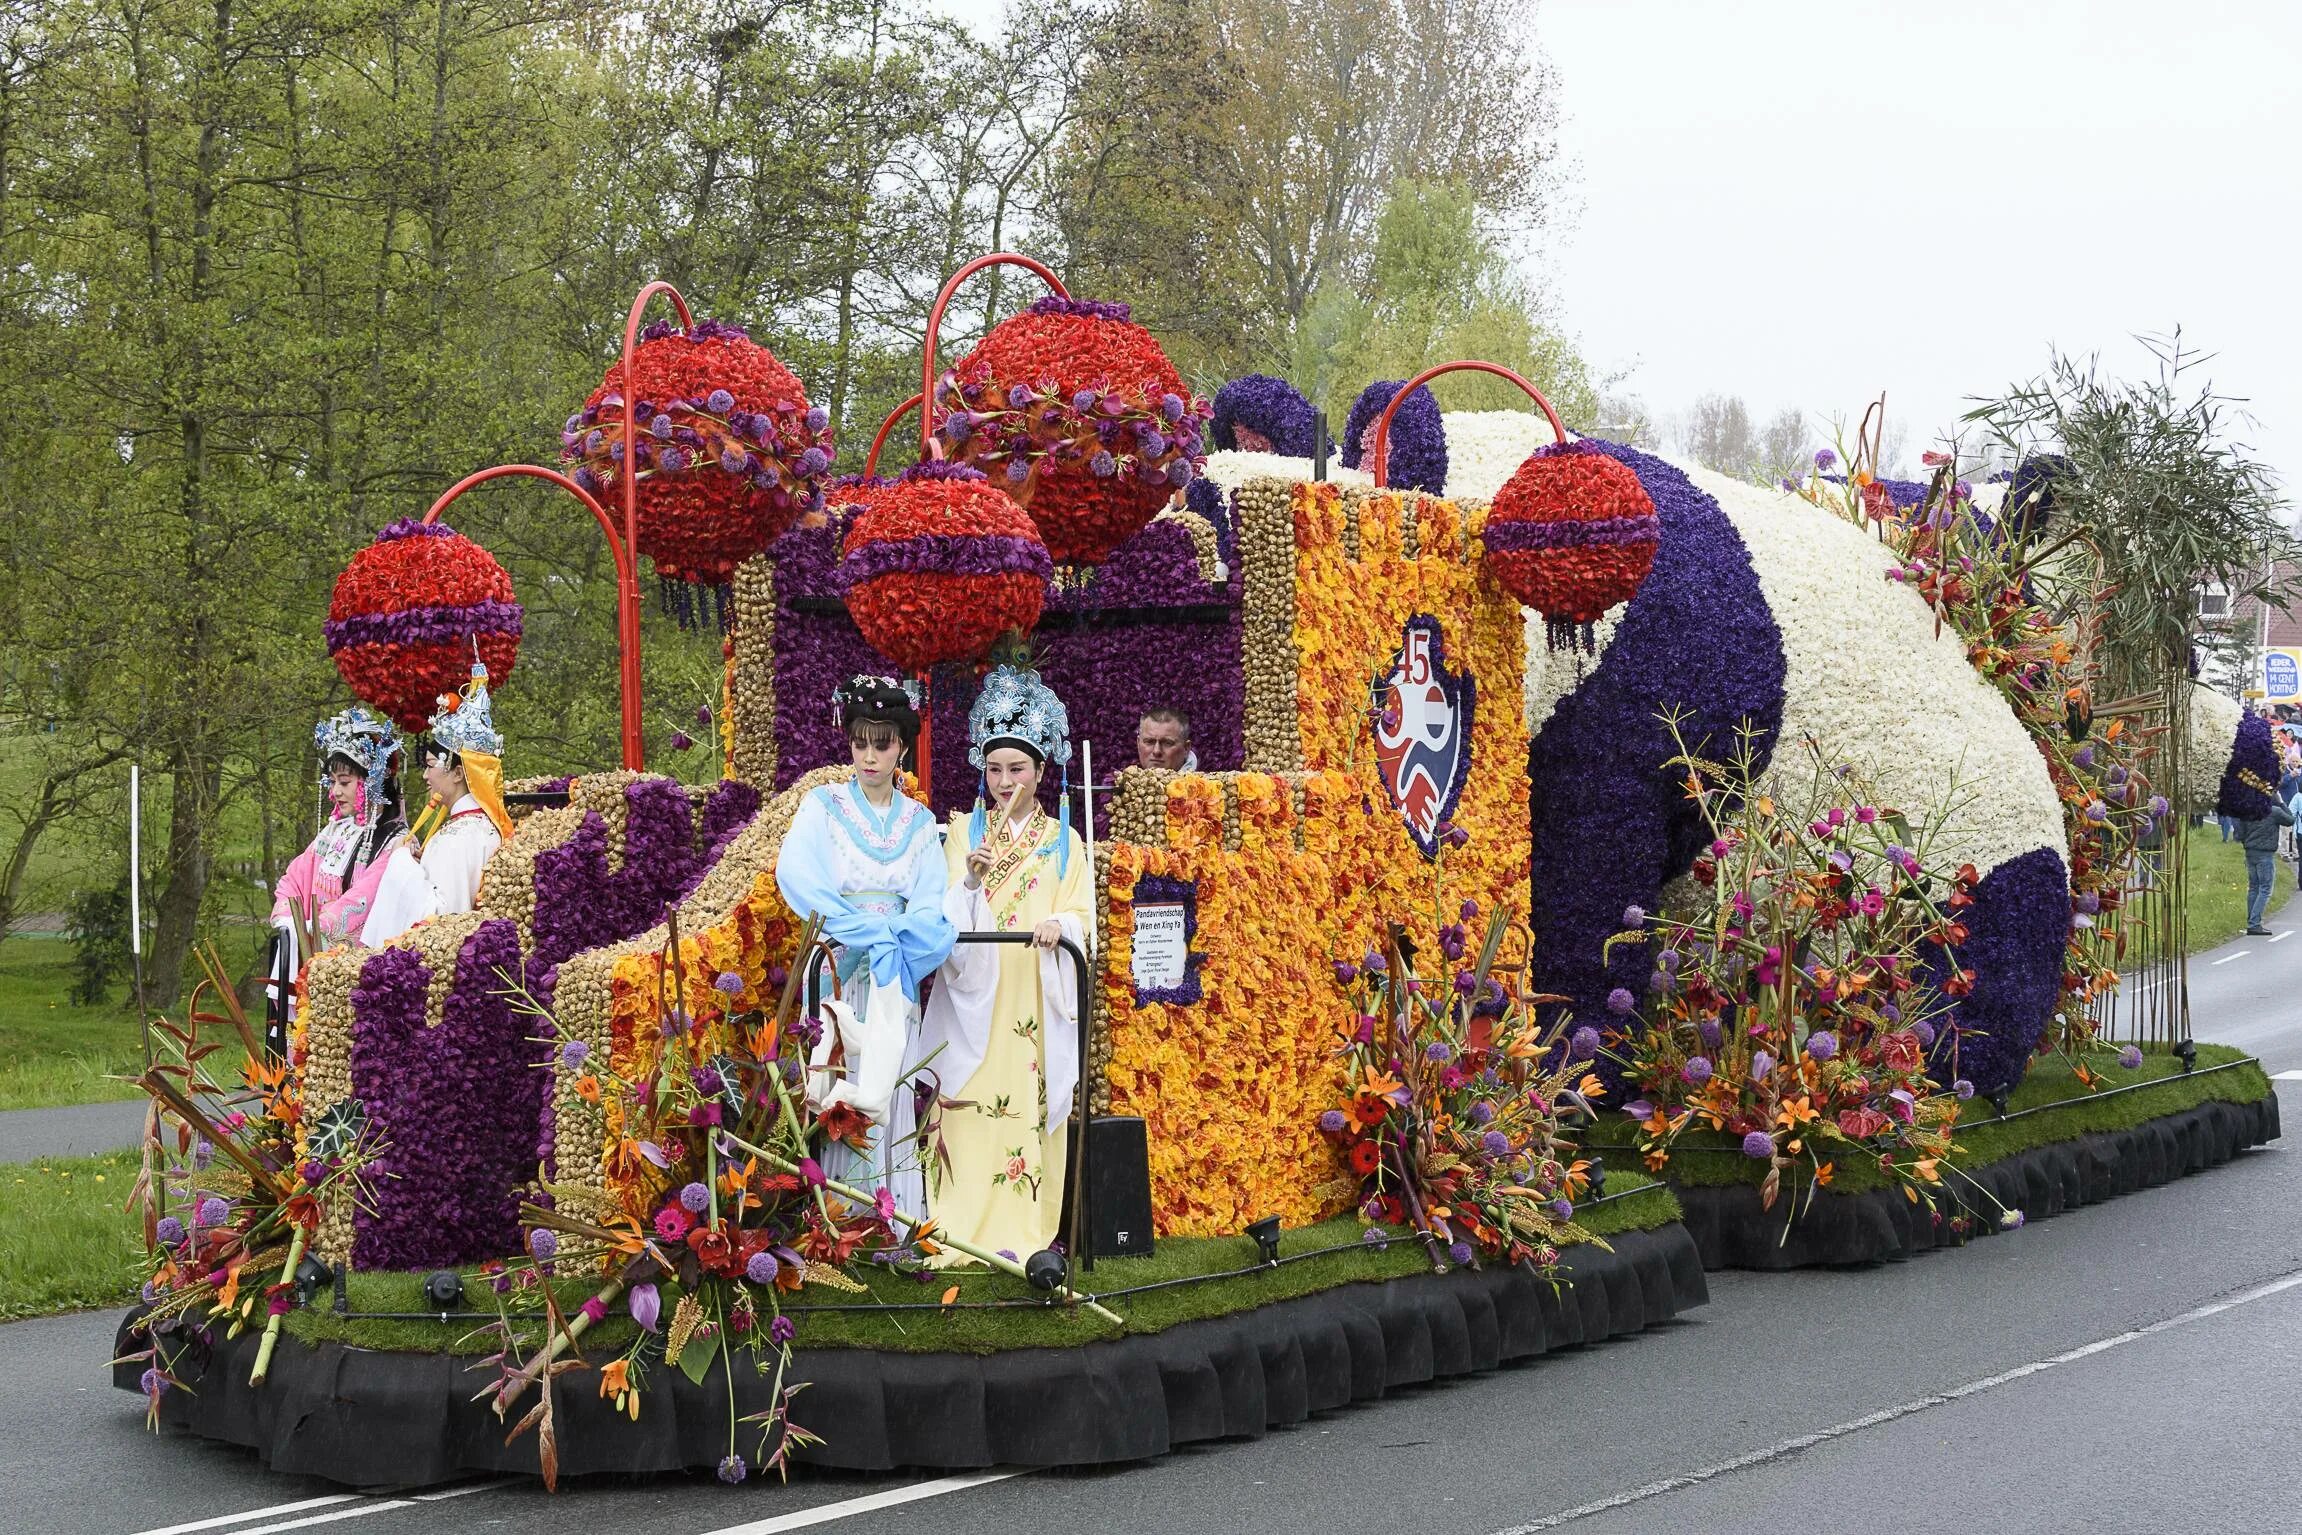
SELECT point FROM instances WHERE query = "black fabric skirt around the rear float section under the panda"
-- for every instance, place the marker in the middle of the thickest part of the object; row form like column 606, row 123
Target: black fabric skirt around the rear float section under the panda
column 1882, row 1225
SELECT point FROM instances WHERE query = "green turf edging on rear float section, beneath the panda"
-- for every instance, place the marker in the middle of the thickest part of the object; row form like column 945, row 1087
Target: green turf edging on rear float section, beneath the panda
column 2071, row 1110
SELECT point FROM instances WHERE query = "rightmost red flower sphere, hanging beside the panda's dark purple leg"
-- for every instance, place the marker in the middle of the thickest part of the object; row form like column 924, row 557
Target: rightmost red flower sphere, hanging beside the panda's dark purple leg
column 1571, row 535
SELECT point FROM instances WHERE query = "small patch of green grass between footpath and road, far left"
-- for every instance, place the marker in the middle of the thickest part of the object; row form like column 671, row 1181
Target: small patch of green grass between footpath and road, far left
column 68, row 1242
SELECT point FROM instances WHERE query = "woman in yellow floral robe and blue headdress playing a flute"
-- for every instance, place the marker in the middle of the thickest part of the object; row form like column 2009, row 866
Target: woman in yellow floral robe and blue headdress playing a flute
column 1003, row 1021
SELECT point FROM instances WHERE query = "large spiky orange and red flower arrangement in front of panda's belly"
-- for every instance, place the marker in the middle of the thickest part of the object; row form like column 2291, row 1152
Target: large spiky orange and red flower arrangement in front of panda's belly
column 1794, row 1011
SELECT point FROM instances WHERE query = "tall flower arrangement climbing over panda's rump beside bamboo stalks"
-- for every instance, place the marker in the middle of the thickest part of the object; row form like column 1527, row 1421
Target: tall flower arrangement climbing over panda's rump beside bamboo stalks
column 1983, row 581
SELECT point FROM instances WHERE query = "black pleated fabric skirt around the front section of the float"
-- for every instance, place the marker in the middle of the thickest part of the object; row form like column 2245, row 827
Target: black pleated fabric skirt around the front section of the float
column 372, row 1419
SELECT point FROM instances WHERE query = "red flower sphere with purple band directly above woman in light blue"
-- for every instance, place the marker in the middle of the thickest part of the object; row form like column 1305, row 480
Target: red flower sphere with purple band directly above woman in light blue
column 938, row 567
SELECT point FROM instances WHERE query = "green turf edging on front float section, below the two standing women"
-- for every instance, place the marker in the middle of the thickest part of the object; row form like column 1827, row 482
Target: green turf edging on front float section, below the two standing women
column 834, row 1320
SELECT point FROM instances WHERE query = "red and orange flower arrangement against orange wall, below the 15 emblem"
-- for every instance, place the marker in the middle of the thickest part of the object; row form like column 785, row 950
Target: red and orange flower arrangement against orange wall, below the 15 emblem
column 1454, row 1103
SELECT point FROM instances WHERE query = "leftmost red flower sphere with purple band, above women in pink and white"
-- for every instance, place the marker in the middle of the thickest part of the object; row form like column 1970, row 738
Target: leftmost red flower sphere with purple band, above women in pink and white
column 409, row 613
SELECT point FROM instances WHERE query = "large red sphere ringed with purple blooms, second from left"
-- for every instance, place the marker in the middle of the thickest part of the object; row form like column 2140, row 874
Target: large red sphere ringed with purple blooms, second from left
column 729, row 448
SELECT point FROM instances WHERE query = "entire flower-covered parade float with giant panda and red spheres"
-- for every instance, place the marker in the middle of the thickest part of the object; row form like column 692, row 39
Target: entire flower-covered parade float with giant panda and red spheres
column 1592, row 871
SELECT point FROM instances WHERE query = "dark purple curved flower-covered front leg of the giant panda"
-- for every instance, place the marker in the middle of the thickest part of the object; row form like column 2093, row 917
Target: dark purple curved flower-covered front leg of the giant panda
column 1610, row 823
